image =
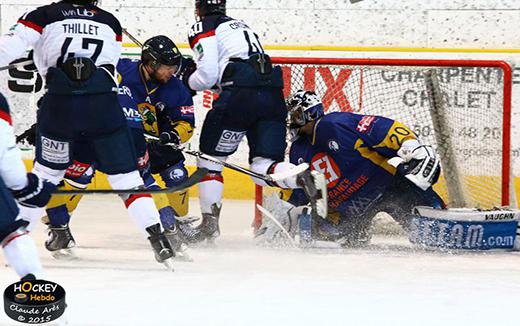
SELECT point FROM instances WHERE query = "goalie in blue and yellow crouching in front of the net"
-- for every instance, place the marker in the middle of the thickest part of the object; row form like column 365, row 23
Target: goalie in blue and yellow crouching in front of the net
column 372, row 164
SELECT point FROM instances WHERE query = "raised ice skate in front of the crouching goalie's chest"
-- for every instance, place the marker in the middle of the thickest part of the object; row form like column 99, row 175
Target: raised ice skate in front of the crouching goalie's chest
column 314, row 185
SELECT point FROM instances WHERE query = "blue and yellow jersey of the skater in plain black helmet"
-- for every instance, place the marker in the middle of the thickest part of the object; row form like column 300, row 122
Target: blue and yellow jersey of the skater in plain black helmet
column 162, row 107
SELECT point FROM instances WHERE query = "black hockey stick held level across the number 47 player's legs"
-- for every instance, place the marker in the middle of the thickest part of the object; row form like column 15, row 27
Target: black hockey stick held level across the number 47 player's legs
column 191, row 181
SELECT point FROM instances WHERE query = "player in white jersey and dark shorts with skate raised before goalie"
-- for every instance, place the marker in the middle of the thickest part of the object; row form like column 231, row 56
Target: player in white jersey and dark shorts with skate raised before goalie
column 230, row 58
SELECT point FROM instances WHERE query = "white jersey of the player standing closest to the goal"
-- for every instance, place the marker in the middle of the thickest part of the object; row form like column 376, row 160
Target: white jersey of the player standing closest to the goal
column 216, row 39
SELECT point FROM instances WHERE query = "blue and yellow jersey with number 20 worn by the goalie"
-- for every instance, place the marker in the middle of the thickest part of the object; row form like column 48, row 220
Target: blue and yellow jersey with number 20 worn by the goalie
column 352, row 151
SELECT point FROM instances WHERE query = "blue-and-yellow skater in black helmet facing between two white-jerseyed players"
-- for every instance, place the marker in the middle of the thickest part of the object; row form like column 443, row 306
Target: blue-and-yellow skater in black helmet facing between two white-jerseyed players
column 147, row 87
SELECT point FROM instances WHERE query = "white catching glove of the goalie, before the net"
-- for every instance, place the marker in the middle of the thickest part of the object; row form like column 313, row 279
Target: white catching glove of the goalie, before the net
column 418, row 163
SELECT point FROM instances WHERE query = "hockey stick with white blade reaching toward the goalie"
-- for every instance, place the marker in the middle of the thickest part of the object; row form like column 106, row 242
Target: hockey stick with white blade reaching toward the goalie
column 269, row 178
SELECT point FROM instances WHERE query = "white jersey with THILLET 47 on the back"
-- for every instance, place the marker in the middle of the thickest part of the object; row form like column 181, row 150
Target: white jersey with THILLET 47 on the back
column 60, row 31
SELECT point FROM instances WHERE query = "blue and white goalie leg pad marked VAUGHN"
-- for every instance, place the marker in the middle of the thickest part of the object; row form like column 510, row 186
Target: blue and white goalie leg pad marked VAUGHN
column 463, row 228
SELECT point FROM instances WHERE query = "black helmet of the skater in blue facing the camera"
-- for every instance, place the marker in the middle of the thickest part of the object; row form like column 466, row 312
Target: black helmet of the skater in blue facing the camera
column 160, row 50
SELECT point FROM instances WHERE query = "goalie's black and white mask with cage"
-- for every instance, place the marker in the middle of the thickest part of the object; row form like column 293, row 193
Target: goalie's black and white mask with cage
column 304, row 107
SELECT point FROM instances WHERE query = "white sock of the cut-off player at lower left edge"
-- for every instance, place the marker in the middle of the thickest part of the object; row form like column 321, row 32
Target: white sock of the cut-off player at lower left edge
column 20, row 253
